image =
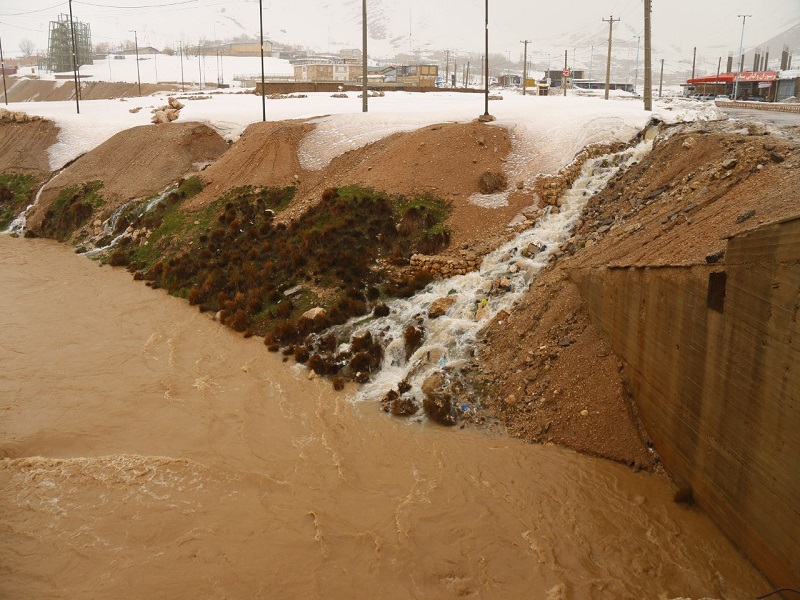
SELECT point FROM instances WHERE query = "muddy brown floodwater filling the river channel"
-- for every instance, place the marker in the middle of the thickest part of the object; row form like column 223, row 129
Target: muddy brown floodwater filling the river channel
column 151, row 453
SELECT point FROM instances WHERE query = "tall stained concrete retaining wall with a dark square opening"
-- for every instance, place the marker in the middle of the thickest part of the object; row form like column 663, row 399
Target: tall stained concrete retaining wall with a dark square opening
column 712, row 356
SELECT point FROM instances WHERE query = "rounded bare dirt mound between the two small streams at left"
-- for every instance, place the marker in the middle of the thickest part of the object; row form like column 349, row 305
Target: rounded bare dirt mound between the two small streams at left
column 137, row 163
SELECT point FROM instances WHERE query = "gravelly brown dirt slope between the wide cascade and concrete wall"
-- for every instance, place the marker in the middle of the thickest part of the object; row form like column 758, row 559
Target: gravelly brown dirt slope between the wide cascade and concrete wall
column 545, row 363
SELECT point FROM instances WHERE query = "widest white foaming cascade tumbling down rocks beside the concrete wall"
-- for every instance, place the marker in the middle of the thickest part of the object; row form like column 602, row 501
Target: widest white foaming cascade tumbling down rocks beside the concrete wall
column 504, row 277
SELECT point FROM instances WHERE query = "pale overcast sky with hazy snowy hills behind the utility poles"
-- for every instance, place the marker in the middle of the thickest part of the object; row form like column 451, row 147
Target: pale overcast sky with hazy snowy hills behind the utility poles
column 408, row 25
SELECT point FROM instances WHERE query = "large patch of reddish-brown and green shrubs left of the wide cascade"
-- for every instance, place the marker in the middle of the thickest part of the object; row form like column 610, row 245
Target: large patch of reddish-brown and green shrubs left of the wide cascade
column 231, row 257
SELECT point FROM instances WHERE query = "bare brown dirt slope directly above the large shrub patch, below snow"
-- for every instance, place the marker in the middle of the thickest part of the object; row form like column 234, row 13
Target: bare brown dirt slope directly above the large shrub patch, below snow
column 444, row 161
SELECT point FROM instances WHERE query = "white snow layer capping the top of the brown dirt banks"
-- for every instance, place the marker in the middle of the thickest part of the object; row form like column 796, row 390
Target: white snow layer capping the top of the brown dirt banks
column 547, row 131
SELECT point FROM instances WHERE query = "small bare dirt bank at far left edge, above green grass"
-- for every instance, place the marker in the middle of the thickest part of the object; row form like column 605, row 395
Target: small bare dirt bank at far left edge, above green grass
column 23, row 147
